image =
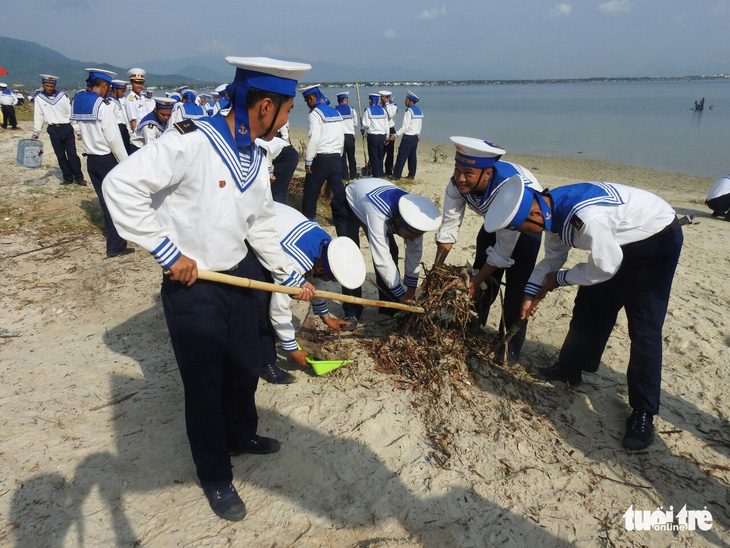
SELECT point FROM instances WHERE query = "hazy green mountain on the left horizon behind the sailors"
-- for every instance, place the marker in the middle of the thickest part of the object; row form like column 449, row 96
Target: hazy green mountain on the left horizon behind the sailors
column 25, row 60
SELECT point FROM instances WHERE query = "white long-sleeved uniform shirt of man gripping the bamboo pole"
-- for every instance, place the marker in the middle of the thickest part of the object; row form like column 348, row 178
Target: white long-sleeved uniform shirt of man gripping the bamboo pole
column 180, row 194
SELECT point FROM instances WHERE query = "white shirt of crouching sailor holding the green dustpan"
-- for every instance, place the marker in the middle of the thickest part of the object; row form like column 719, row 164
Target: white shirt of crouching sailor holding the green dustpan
column 290, row 226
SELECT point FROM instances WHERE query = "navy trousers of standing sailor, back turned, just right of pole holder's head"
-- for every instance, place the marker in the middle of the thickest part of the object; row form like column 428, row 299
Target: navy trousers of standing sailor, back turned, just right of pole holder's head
column 326, row 167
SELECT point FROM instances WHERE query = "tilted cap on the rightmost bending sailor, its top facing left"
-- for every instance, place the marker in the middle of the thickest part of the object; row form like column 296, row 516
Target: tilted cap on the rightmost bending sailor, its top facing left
column 511, row 205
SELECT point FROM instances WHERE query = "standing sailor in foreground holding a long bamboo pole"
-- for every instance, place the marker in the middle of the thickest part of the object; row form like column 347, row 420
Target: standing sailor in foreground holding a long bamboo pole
column 199, row 197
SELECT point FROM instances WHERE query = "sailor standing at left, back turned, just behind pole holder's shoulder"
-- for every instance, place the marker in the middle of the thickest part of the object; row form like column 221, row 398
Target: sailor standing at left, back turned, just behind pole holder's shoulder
column 103, row 145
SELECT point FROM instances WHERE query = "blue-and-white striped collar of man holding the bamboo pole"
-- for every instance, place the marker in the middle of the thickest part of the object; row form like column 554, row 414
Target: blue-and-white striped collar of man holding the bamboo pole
column 244, row 162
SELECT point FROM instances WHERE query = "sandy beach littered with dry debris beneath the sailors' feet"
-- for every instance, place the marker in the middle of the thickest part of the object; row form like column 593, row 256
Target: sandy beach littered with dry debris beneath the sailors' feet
column 93, row 447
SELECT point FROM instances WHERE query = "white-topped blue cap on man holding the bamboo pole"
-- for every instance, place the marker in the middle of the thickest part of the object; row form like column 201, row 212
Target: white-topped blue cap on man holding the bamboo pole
column 269, row 74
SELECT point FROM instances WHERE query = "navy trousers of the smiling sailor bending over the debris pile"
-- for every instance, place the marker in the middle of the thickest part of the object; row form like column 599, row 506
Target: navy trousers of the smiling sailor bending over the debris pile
column 524, row 256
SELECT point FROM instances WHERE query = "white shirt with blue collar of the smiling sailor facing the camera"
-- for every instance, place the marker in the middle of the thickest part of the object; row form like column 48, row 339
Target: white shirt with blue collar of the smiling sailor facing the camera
column 455, row 204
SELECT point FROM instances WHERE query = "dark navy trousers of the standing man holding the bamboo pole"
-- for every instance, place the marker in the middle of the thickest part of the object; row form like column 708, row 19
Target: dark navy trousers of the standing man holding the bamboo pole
column 214, row 333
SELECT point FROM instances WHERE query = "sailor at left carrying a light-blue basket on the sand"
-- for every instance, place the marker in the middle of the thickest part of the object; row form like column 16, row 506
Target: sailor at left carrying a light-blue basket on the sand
column 53, row 107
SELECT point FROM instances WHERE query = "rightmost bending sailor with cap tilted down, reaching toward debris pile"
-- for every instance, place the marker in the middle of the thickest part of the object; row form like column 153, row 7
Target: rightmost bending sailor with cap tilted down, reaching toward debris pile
column 634, row 239
